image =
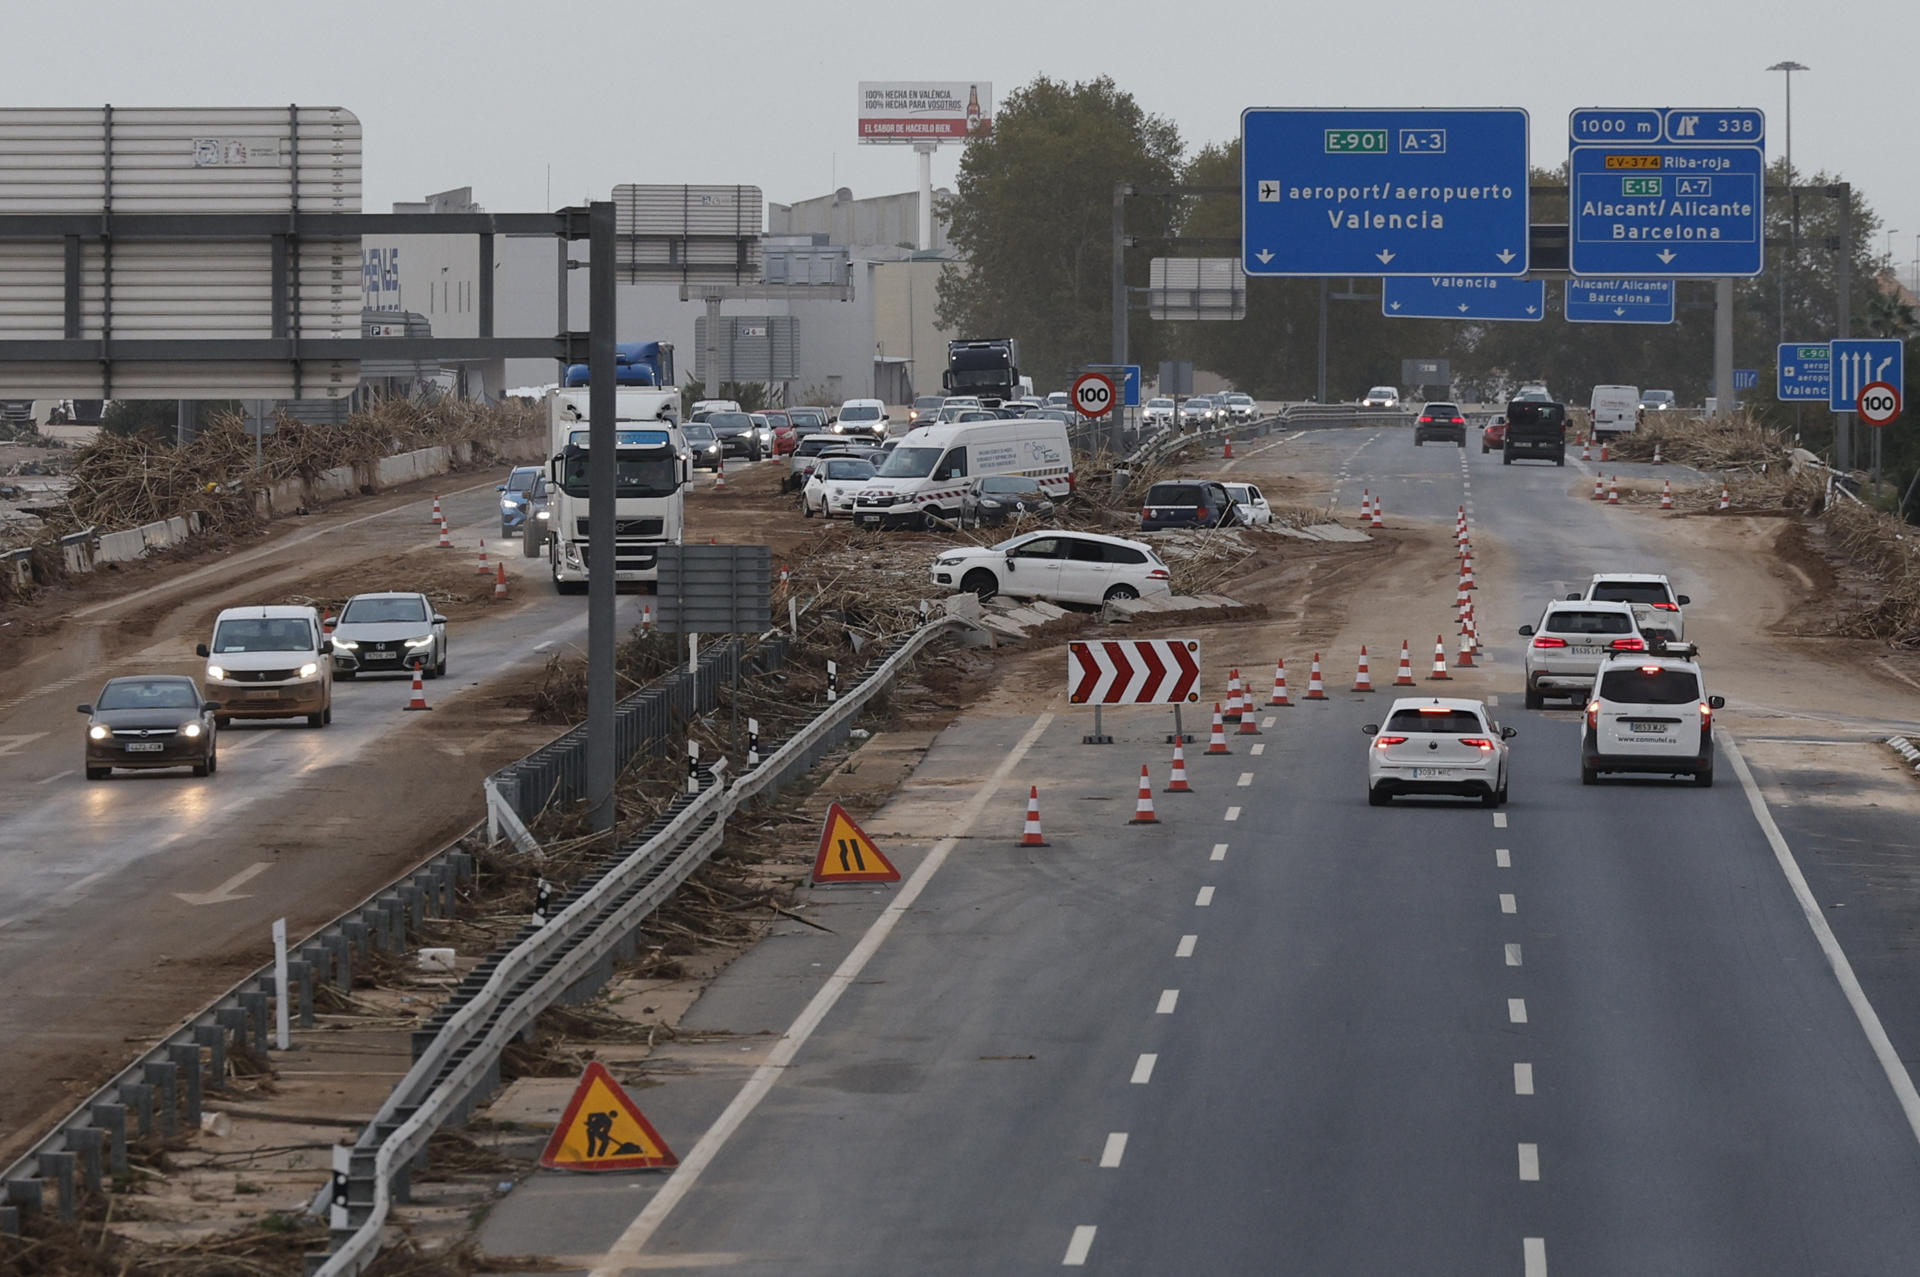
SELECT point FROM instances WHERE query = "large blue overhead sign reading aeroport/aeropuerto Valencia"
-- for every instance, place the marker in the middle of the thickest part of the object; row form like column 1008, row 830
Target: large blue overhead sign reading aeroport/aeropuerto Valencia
column 1383, row 191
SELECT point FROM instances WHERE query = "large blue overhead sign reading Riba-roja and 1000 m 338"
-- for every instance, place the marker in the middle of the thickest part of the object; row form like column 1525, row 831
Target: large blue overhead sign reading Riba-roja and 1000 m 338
column 1673, row 193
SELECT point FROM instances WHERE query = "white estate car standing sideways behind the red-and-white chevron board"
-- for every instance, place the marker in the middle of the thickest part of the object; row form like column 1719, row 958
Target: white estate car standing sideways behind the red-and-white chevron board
column 1061, row 567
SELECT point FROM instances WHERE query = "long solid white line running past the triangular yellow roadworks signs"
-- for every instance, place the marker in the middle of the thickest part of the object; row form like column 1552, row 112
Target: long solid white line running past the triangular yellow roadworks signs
column 627, row 1249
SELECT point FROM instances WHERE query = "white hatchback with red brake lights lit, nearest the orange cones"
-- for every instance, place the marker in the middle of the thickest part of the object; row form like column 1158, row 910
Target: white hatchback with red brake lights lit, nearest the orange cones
column 1437, row 746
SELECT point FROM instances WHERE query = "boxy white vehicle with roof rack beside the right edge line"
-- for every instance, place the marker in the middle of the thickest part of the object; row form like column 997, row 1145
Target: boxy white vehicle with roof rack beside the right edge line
column 1650, row 715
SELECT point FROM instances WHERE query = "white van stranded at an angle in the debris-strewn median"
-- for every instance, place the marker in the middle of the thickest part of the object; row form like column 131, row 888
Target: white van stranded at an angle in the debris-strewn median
column 932, row 470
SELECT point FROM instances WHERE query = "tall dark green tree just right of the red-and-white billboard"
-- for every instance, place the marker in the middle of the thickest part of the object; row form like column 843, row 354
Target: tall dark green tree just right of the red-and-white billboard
column 1034, row 222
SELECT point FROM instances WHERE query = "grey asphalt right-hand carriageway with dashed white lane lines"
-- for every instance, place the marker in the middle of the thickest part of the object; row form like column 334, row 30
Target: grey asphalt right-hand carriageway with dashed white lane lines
column 1282, row 1032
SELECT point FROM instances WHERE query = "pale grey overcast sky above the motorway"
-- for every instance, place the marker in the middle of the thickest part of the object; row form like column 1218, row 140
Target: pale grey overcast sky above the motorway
column 489, row 95
